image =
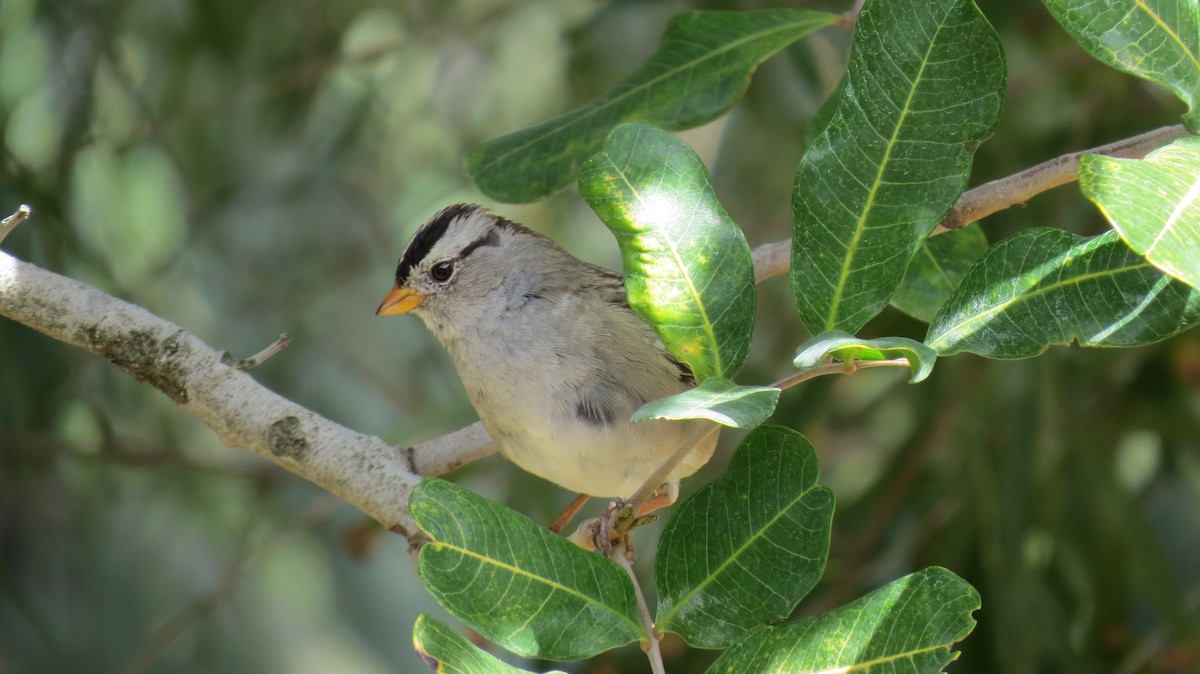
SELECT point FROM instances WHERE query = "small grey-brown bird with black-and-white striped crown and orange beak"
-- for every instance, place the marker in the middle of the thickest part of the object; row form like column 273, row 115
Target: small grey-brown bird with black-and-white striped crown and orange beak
column 550, row 353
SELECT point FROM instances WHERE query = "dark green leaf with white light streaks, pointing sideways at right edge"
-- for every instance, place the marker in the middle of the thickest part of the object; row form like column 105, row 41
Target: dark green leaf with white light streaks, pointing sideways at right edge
column 1047, row 287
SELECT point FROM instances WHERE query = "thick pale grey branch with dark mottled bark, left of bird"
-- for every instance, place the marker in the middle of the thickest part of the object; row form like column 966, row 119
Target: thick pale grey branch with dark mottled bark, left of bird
column 207, row 383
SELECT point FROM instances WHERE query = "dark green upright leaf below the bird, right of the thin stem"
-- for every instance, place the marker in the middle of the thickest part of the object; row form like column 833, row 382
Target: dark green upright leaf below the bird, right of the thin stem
column 746, row 550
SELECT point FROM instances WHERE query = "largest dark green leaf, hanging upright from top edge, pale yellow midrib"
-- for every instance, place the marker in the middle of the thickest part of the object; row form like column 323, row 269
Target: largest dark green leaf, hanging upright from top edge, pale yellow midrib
column 923, row 91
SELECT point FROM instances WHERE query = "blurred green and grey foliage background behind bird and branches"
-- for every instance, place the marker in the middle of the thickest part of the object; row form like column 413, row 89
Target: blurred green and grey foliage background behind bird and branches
column 247, row 170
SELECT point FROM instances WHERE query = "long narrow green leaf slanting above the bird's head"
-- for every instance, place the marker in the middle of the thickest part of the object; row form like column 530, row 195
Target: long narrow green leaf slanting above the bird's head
column 701, row 69
